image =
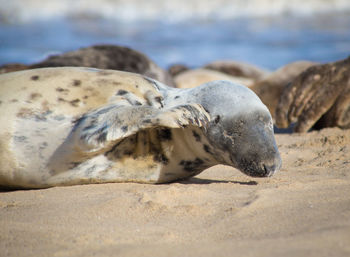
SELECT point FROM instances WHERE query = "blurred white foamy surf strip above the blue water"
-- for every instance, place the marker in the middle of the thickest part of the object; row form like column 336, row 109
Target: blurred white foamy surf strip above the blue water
column 24, row 11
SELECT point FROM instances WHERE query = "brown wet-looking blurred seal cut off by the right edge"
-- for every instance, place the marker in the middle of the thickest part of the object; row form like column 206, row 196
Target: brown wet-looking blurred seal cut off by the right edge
column 317, row 98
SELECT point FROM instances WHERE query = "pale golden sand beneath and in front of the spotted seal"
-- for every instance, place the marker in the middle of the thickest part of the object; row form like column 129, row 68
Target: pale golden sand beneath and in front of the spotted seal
column 304, row 210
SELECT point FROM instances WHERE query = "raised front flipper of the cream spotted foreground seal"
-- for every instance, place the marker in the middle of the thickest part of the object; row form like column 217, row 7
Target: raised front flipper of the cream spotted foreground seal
column 98, row 131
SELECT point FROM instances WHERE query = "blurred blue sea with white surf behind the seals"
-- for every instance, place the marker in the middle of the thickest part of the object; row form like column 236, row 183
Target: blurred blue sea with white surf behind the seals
column 267, row 33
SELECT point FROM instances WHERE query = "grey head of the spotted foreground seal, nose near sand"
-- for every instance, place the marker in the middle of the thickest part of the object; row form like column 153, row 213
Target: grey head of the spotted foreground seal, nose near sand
column 241, row 129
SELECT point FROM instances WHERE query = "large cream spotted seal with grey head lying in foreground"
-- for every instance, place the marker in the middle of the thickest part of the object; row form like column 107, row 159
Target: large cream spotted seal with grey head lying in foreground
column 69, row 125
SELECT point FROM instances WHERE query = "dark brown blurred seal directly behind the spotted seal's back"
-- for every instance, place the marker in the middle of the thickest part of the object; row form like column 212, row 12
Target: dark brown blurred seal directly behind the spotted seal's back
column 112, row 57
